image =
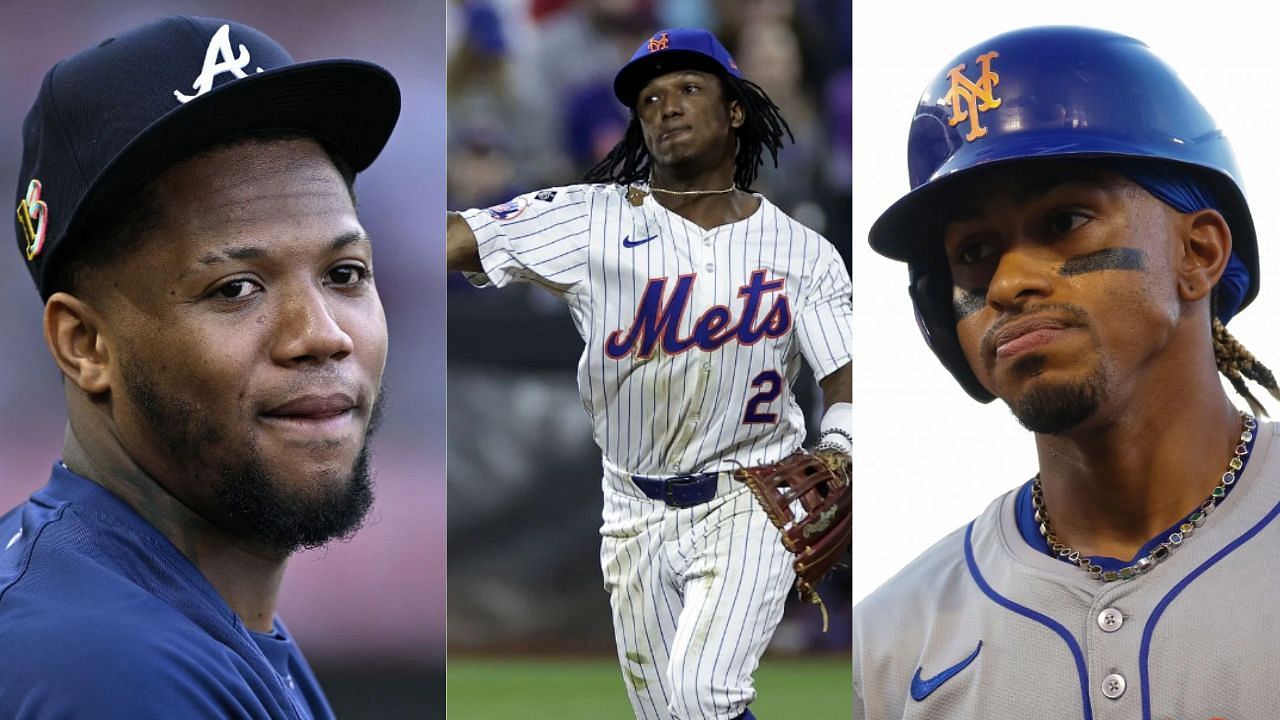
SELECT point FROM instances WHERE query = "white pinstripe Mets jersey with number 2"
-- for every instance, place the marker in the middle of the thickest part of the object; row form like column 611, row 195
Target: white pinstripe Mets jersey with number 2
column 693, row 336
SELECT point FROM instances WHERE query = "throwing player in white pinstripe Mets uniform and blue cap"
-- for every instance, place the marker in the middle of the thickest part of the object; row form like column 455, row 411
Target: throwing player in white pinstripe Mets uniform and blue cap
column 696, row 300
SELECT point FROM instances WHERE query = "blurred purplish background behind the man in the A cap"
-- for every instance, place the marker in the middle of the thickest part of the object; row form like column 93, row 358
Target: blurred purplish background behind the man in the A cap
column 368, row 613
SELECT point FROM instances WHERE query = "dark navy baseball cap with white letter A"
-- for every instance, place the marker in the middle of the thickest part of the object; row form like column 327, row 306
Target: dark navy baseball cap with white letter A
column 113, row 117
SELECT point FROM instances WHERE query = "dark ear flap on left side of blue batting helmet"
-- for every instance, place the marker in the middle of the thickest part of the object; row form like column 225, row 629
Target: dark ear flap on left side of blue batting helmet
column 935, row 315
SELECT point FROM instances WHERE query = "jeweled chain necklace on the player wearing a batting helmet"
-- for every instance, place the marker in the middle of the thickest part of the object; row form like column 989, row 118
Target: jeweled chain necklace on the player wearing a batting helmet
column 1165, row 549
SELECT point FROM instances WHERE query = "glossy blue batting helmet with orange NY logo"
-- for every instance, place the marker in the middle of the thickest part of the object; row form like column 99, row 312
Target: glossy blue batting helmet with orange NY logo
column 1048, row 93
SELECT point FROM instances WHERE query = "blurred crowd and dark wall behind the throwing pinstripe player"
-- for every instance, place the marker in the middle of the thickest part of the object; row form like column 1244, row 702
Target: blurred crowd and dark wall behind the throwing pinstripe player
column 531, row 106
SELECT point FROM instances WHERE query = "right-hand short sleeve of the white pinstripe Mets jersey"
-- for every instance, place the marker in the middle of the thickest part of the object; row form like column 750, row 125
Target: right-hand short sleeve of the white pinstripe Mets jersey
column 826, row 317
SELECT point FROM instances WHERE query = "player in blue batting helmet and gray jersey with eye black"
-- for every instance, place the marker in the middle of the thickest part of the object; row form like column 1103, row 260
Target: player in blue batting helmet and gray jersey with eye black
column 1078, row 239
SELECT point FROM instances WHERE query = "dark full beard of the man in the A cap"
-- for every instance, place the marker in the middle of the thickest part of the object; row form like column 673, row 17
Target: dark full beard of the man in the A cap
column 250, row 498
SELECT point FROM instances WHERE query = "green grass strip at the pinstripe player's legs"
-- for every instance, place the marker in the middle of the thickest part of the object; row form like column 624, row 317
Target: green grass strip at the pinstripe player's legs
column 557, row 689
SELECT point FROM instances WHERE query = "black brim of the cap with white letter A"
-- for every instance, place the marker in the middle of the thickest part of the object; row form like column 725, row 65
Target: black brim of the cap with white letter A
column 353, row 106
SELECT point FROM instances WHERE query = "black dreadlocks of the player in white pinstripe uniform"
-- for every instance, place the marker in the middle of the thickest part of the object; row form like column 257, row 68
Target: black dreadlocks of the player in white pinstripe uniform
column 764, row 129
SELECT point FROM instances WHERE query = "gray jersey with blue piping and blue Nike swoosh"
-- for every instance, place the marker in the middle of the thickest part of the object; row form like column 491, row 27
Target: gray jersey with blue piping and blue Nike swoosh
column 985, row 626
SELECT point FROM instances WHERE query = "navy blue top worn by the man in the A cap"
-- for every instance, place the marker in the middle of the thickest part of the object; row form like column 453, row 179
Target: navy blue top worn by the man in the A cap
column 102, row 617
